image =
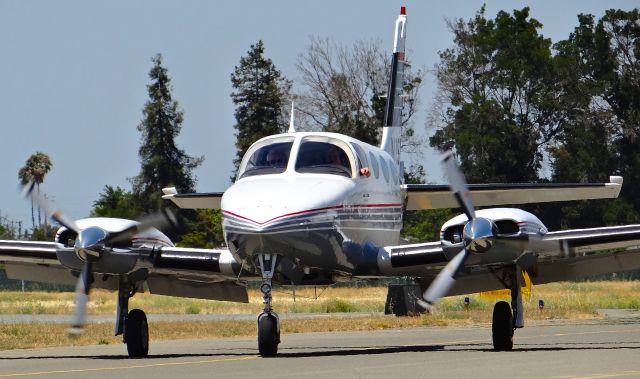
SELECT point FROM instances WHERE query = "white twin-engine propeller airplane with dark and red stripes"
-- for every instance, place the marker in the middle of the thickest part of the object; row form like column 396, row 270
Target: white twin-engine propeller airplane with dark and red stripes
column 317, row 208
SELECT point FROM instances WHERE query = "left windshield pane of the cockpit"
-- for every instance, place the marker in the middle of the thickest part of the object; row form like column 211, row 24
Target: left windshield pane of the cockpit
column 270, row 157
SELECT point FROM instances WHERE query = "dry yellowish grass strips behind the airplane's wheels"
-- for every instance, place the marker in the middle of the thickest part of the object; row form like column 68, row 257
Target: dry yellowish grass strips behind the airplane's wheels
column 562, row 301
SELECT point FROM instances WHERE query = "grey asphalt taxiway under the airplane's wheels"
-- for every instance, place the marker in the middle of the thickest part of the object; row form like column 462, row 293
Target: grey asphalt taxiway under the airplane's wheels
column 608, row 348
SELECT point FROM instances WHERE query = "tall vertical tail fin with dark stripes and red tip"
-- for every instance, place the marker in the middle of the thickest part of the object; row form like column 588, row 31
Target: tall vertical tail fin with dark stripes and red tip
column 393, row 112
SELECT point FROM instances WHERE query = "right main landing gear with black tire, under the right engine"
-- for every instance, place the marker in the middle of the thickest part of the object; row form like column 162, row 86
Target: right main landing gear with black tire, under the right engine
column 505, row 322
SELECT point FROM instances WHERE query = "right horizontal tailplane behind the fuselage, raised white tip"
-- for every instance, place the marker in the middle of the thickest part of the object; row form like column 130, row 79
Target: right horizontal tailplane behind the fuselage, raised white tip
column 432, row 196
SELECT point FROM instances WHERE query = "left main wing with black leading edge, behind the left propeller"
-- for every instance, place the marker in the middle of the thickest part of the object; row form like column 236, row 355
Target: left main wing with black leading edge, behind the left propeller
column 195, row 273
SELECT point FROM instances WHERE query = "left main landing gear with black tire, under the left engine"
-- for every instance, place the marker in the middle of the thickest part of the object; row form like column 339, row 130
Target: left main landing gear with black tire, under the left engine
column 132, row 324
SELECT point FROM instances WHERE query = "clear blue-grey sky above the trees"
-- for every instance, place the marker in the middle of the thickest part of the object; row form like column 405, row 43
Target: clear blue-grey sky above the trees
column 73, row 75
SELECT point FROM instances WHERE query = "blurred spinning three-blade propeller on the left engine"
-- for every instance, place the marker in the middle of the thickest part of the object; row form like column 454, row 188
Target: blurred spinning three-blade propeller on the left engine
column 91, row 242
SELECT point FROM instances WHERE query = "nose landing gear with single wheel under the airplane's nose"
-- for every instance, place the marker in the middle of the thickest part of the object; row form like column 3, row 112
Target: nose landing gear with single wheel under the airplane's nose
column 268, row 322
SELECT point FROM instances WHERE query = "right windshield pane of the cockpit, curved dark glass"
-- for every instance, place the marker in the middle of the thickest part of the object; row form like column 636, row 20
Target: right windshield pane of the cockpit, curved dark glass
column 319, row 156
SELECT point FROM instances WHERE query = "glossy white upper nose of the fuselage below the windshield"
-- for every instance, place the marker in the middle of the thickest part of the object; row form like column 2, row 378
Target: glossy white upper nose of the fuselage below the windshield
column 260, row 202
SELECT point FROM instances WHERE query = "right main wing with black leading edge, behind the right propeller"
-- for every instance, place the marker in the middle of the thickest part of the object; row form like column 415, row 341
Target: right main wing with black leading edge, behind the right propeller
column 586, row 252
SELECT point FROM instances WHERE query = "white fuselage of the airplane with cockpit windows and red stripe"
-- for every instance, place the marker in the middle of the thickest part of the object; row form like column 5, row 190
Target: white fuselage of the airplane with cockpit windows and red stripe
column 313, row 212
